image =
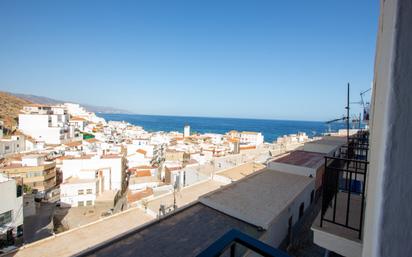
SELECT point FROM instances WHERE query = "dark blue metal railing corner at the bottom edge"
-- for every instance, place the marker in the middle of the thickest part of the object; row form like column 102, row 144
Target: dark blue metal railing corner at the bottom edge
column 234, row 237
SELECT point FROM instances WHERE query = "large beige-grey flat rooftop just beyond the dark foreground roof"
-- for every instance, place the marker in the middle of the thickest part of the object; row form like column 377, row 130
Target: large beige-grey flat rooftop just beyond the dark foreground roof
column 258, row 199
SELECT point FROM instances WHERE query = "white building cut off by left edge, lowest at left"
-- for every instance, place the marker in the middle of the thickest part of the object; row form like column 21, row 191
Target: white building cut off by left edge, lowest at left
column 11, row 210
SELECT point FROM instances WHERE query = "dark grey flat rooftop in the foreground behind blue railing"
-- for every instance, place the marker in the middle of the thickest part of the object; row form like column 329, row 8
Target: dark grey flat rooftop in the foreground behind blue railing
column 184, row 233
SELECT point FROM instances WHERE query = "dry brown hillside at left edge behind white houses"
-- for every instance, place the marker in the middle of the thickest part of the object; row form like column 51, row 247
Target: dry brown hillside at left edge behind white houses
column 10, row 106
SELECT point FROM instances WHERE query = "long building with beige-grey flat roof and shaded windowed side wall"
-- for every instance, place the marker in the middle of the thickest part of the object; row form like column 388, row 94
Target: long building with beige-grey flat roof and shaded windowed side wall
column 269, row 199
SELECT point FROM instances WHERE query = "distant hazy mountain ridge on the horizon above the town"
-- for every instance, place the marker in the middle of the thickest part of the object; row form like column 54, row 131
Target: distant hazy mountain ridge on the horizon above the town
column 51, row 101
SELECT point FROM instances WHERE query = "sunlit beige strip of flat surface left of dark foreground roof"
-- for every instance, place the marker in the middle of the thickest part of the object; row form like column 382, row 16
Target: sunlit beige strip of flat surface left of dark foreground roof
column 76, row 240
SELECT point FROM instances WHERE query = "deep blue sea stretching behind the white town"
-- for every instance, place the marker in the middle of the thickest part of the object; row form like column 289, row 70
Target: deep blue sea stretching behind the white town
column 271, row 129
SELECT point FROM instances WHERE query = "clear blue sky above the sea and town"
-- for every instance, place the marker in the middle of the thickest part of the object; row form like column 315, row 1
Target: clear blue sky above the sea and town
column 252, row 59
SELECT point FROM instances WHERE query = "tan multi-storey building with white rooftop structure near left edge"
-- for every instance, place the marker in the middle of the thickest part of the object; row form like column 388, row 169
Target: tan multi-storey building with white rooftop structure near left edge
column 37, row 173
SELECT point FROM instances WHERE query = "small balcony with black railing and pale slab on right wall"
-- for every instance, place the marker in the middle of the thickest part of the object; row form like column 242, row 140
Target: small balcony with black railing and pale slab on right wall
column 339, row 225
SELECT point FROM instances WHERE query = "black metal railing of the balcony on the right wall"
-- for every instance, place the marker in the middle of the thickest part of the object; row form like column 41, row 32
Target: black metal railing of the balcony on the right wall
column 343, row 198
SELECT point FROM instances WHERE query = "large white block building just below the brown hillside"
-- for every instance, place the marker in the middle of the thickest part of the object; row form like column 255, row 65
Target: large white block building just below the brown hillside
column 47, row 123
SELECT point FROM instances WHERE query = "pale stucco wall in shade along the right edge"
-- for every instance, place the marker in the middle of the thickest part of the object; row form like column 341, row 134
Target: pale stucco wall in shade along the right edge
column 388, row 223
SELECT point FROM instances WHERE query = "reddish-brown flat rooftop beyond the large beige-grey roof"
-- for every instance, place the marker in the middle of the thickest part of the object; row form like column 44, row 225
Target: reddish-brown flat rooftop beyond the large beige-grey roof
column 302, row 158
